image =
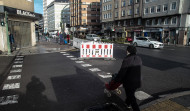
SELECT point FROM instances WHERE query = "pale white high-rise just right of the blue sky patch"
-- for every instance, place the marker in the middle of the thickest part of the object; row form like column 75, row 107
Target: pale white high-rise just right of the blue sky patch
column 54, row 10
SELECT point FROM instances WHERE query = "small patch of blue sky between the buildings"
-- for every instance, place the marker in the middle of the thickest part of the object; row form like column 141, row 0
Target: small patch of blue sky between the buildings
column 38, row 6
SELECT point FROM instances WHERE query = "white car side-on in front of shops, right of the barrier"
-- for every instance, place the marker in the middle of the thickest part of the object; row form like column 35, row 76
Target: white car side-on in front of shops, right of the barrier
column 147, row 42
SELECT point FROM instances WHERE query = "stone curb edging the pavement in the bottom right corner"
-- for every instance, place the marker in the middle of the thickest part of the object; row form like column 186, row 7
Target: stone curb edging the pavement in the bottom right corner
column 165, row 97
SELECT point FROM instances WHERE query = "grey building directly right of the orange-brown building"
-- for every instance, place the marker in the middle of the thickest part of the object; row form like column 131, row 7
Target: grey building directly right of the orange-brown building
column 125, row 19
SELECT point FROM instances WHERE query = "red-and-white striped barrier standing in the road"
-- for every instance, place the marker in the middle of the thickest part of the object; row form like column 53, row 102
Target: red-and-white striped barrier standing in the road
column 96, row 50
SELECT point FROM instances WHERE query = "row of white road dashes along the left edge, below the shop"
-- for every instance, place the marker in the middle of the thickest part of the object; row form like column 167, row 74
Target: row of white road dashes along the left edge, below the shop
column 12, row 82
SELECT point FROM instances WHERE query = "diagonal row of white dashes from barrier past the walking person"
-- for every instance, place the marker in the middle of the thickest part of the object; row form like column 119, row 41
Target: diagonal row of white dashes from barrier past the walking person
column 140, row 95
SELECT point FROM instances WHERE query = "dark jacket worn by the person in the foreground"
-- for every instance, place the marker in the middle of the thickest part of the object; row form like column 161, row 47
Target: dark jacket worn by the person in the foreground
column 130, row 72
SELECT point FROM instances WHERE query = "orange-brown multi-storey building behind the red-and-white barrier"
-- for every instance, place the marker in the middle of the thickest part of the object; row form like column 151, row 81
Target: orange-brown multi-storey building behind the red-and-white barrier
column 85, row 16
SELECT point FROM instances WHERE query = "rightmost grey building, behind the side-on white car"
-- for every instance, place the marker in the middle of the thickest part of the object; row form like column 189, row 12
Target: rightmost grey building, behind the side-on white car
column 167, row 20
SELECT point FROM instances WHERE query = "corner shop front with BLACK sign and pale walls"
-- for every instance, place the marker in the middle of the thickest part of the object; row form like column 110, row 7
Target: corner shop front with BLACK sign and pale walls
column 21, row 24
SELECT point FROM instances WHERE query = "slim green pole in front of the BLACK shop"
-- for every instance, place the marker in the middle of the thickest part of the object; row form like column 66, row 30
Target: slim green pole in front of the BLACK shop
column 6, row 25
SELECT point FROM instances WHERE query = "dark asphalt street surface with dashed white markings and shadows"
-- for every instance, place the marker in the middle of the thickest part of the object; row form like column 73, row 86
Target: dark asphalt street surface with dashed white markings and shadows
column 58, row 81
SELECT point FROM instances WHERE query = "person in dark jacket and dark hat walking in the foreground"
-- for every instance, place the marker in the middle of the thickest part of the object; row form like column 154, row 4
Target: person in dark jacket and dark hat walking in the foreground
column 130, row 76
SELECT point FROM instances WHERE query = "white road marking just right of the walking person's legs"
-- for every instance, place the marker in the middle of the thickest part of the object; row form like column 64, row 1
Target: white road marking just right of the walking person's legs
column 140, row 95
